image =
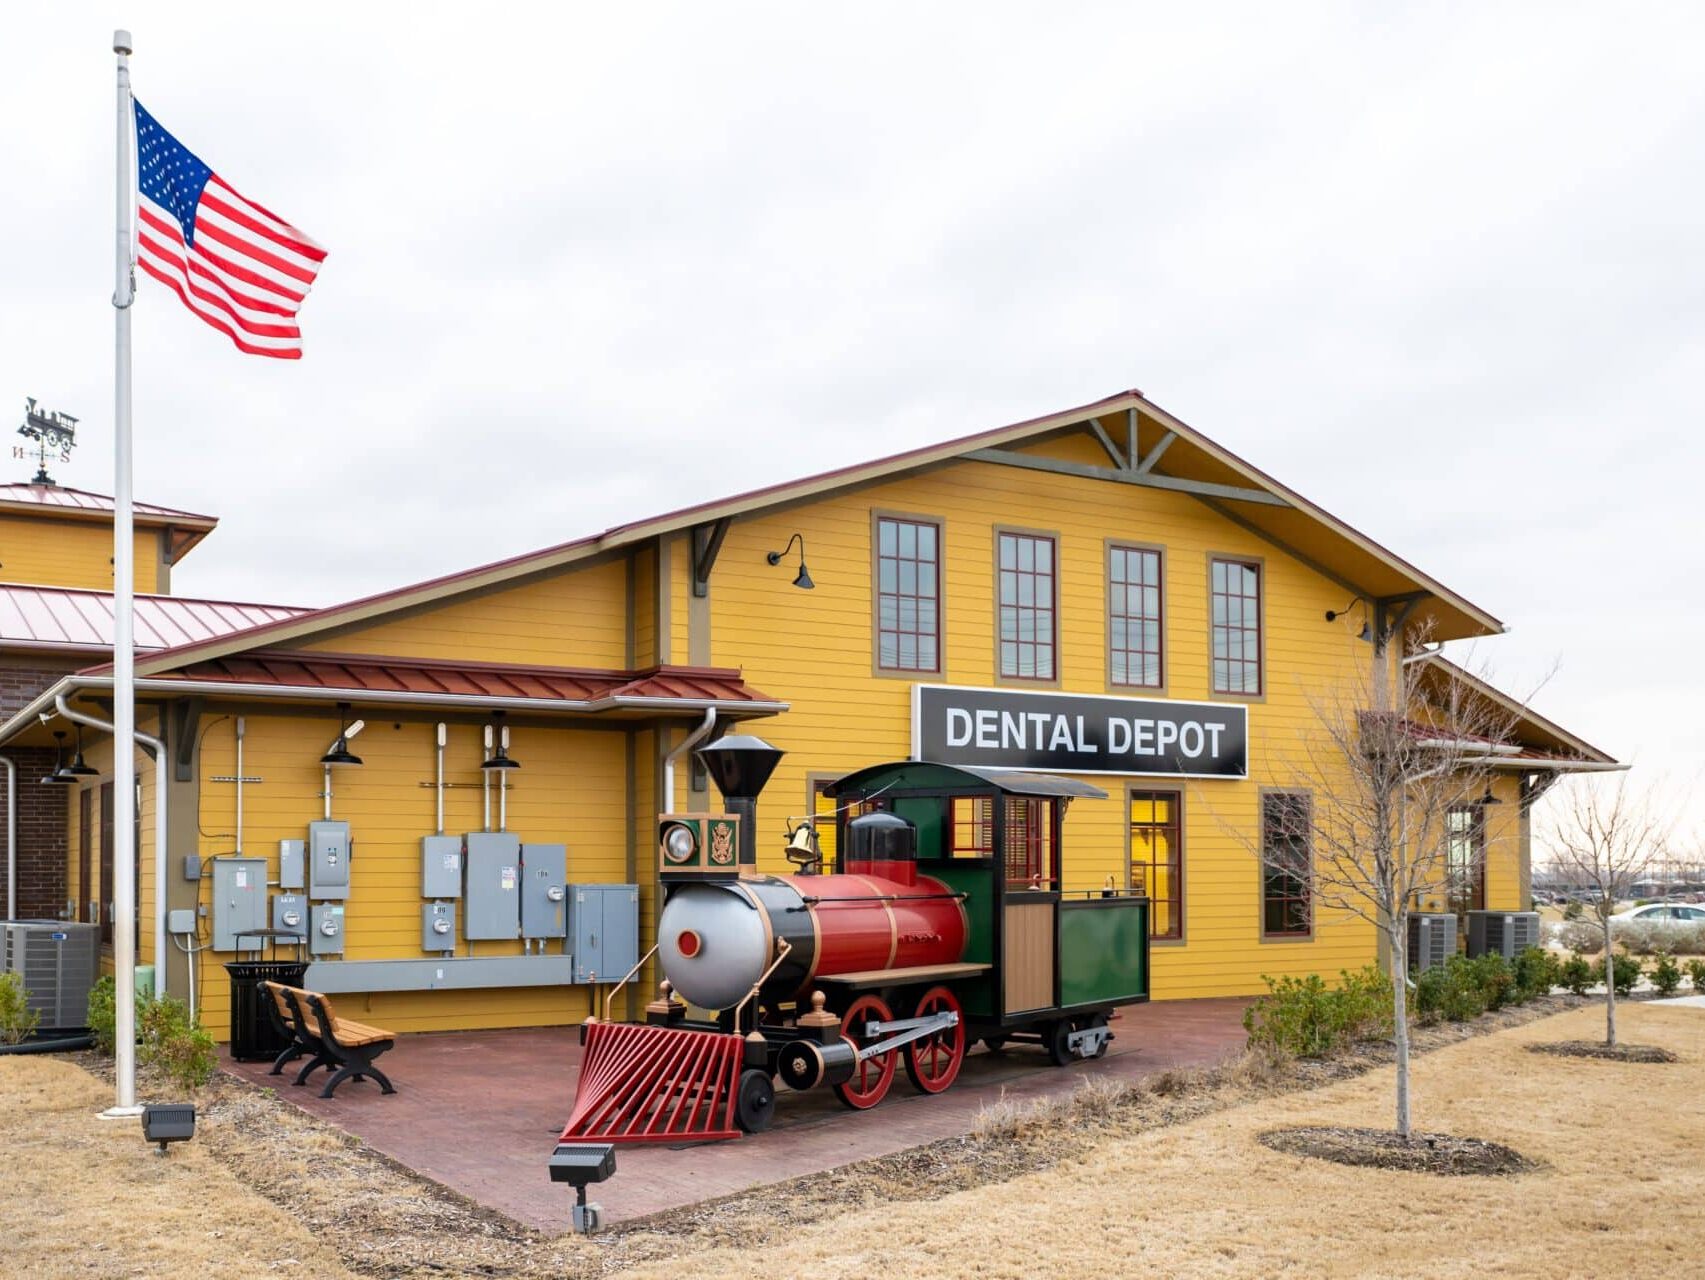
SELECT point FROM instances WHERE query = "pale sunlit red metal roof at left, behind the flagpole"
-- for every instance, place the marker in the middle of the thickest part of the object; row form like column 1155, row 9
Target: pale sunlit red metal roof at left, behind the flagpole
column 57, row 618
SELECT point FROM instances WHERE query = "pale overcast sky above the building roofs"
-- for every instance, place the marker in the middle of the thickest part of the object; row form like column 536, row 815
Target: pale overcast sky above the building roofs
column 1436, row 267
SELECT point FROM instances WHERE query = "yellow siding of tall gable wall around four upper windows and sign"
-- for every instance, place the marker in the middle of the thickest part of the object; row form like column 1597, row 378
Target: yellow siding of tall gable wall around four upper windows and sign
column 816, row 652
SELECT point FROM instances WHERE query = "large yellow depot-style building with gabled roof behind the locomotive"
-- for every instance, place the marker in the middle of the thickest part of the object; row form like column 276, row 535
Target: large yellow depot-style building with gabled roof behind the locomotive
column 1102, row 592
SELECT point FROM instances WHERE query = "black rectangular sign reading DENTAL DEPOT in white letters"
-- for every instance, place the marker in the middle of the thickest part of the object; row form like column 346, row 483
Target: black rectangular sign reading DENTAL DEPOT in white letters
column 1080, row 734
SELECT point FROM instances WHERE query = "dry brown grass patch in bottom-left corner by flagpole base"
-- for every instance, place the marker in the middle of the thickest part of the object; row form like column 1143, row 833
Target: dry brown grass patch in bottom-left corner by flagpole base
column 86, row 1197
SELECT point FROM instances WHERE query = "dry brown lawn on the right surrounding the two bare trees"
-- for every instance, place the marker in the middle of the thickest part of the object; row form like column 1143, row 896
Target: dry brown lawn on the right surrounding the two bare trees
column 1619, row 1196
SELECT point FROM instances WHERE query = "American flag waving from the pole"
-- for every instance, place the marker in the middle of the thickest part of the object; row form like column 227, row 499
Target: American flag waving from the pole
column 234, row 263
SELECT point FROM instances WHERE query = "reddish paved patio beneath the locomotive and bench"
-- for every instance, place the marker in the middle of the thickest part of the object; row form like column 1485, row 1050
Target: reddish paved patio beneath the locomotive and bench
column 480, row 1112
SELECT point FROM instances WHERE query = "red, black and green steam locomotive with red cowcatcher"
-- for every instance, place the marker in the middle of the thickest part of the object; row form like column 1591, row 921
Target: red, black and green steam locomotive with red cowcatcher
column 942, row 921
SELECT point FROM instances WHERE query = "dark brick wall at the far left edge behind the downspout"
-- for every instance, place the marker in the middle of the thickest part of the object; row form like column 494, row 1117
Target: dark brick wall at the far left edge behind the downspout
column 43, row 880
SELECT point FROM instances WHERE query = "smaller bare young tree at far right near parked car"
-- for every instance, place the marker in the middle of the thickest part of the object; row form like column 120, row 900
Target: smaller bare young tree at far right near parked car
column 1607, row 836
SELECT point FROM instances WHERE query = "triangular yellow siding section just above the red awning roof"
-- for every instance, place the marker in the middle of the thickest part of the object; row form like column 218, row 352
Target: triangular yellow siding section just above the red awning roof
column 577, row 618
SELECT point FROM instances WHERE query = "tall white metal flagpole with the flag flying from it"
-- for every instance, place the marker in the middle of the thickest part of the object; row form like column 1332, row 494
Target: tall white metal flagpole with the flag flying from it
column 124, row 649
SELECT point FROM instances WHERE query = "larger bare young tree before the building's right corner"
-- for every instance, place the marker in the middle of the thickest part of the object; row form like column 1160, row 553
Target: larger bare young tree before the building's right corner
column 1389, row 771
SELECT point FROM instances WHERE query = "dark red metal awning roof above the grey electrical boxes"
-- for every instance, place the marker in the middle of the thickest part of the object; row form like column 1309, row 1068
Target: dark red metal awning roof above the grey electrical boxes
column 480, row 681
